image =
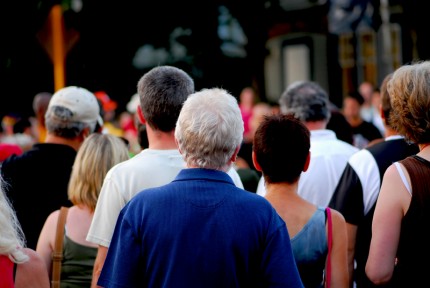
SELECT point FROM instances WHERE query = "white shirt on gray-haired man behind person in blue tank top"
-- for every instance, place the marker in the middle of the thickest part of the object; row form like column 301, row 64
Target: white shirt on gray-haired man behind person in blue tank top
column 329, row 156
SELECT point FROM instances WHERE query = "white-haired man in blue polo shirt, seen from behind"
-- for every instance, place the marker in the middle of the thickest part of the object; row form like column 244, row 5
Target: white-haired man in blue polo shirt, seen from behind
column 200, row 230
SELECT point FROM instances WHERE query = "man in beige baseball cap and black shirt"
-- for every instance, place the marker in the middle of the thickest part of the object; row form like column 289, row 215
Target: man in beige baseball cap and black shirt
column 37, row 180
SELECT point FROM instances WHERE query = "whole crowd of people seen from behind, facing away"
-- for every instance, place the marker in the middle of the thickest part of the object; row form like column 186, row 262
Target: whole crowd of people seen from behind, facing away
column 208, row 189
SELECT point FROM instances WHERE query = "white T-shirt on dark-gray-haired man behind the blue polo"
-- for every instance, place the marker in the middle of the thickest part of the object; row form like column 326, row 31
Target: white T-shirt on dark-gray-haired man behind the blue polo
column 150, row 168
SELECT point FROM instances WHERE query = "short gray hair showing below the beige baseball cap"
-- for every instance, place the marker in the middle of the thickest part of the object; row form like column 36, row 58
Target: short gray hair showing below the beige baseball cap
column 58, row 121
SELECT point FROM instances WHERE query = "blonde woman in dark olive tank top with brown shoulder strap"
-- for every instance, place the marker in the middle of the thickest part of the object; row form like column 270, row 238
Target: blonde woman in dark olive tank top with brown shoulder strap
column 95, row 157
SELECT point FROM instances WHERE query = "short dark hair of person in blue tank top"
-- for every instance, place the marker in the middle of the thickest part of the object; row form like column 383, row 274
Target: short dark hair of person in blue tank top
column 281, row 146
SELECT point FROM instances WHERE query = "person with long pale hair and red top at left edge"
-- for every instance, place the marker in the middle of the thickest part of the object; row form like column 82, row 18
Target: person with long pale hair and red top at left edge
column 19, row 266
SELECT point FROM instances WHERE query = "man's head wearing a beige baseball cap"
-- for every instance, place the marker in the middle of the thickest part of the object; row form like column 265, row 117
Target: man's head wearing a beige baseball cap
column 72, row 109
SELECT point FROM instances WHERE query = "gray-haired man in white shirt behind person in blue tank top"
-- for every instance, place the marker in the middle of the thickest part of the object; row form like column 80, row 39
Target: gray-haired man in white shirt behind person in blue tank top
column 308, row 101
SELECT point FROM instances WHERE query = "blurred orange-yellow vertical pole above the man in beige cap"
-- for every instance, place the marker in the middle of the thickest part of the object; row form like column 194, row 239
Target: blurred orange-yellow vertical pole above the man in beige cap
column 58, row 52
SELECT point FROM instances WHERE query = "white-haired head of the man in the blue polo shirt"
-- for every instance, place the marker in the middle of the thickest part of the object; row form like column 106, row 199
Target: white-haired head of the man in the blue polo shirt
column 209, row 129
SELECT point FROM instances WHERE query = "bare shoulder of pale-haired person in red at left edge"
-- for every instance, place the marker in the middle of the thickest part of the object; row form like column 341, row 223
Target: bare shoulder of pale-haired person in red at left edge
column 32, row 273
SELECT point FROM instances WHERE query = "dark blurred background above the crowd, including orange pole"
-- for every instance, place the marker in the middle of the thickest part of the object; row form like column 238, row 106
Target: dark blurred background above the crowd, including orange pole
column 267, row 44
